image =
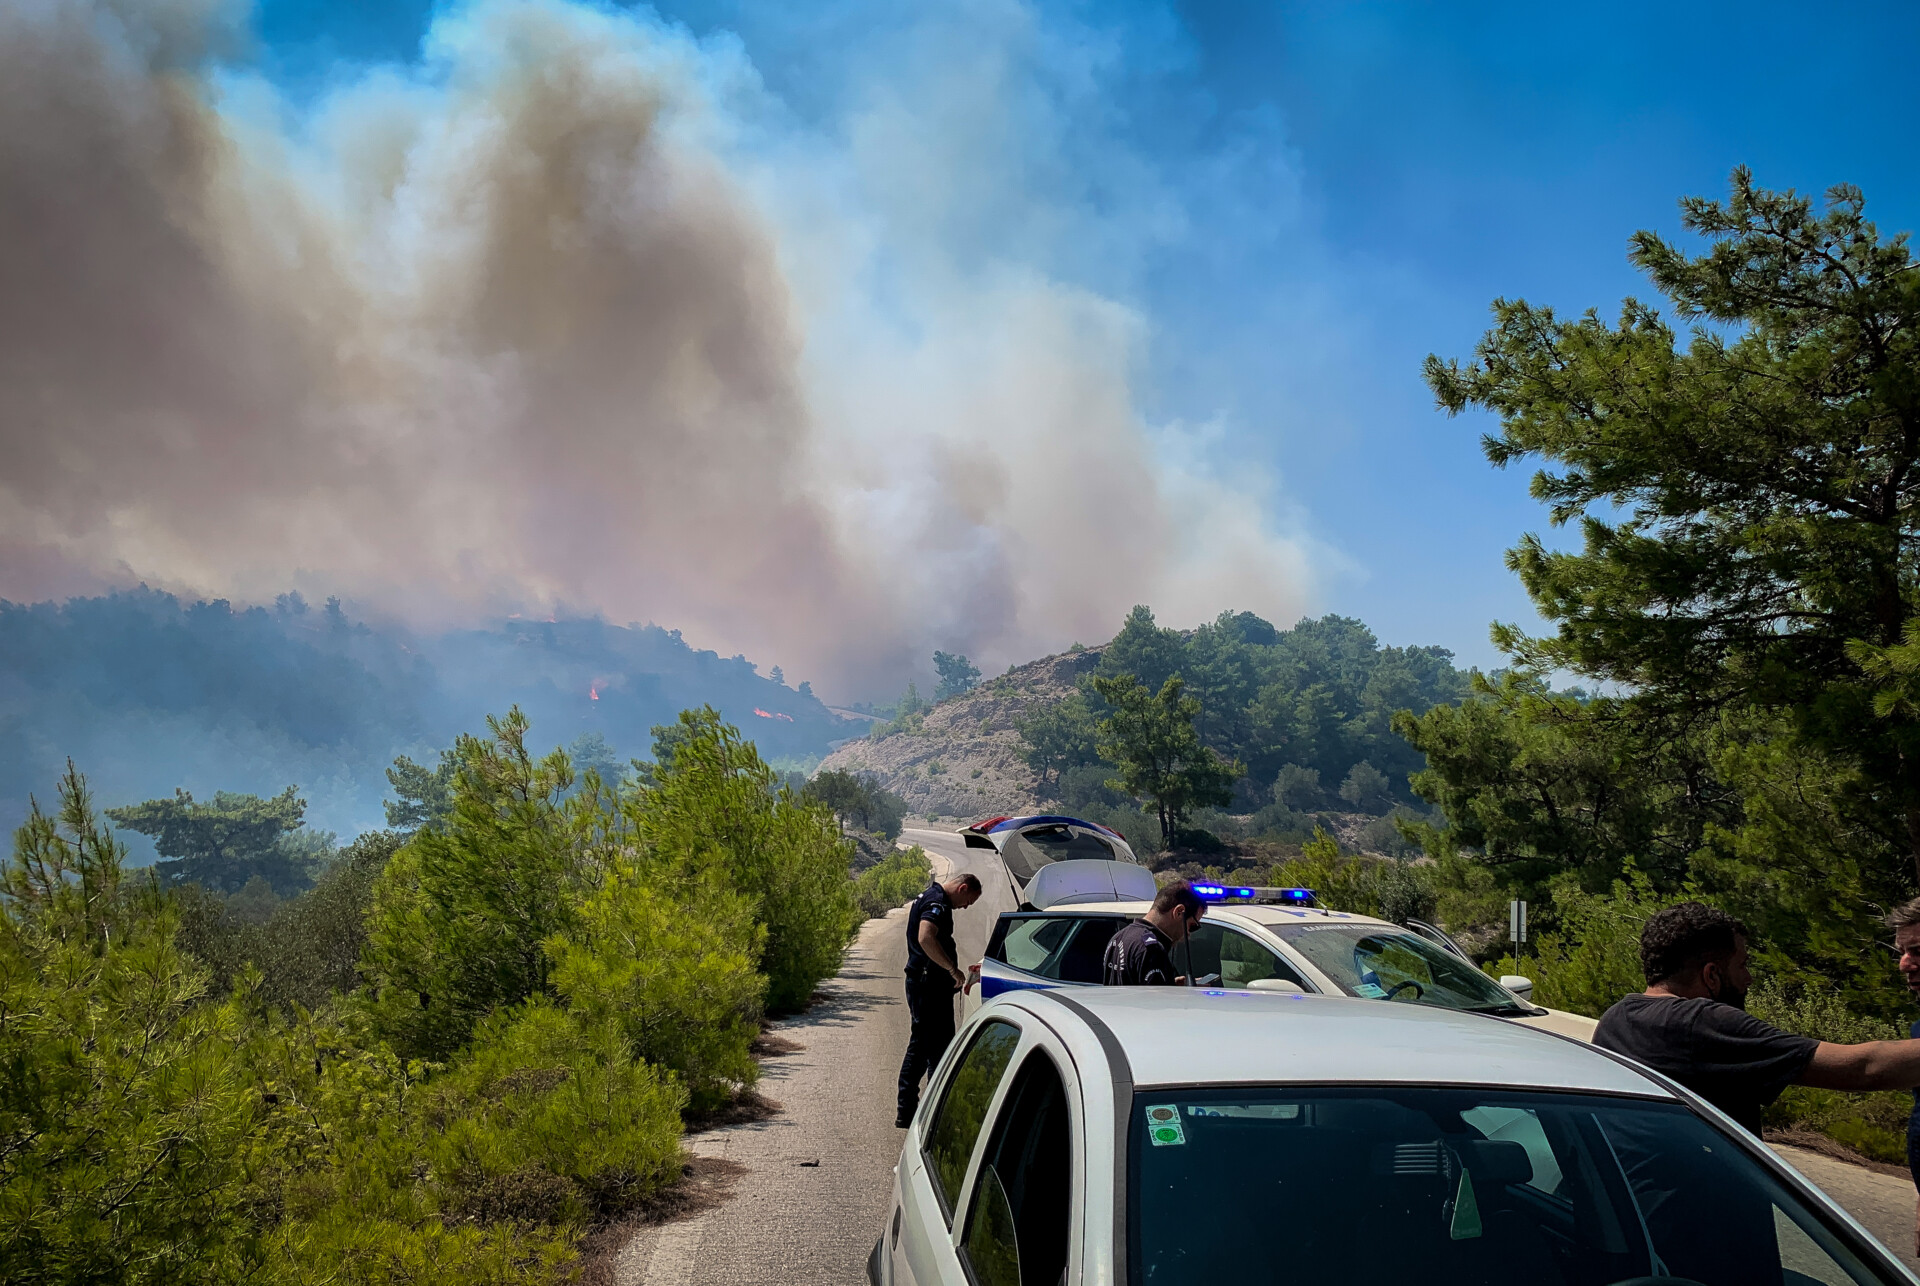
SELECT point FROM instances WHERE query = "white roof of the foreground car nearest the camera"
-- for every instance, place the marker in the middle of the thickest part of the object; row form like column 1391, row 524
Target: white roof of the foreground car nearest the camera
column 1180, row 1036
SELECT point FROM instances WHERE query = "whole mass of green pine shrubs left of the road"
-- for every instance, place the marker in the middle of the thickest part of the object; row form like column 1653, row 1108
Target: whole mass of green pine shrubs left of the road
column 552, row 974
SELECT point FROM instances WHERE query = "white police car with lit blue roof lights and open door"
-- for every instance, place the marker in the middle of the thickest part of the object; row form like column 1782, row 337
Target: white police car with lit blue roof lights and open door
column 1287, row 943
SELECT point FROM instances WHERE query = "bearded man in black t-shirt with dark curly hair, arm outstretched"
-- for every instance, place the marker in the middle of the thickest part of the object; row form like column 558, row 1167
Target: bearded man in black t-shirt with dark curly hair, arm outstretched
column 1692, row 1026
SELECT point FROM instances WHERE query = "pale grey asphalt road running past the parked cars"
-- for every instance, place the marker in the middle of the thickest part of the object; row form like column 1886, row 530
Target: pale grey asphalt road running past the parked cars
column 819, row 1174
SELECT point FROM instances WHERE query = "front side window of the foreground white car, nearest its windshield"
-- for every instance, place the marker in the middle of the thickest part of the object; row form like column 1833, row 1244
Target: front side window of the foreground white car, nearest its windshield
column 1022, row 1208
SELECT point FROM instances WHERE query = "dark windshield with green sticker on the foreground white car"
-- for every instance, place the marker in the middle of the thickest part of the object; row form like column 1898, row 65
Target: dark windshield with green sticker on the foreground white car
column 1458, row 1187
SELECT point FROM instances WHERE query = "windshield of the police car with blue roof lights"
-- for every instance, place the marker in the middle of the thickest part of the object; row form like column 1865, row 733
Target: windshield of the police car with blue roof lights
column 1378, row 963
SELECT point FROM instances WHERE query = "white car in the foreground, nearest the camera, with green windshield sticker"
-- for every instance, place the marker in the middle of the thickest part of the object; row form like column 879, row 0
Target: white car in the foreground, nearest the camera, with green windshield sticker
column 1209, row 1139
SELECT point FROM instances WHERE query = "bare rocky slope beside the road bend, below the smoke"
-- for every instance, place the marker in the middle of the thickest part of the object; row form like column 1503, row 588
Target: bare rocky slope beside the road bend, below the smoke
column 963, row 761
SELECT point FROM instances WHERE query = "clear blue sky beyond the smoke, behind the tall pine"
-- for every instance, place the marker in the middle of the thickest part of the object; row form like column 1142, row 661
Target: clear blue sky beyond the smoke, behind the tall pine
column 1303, row 201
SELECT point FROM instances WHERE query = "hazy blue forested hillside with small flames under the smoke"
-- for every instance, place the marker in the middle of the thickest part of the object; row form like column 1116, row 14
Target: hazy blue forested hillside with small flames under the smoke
column 155, row 694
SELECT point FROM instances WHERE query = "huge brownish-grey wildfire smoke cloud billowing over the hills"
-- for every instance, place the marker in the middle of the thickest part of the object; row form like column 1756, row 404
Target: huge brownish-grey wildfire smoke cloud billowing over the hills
column 558, row 318
